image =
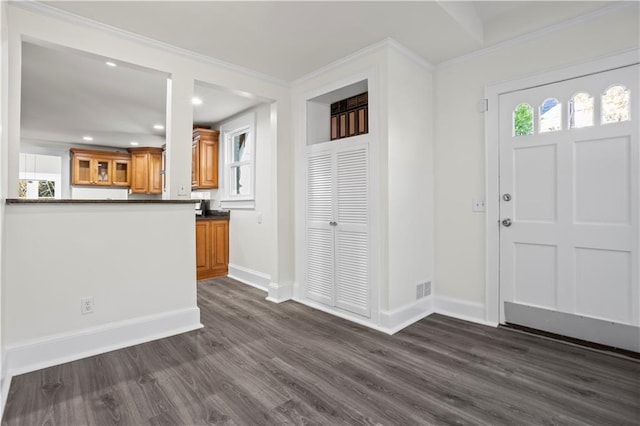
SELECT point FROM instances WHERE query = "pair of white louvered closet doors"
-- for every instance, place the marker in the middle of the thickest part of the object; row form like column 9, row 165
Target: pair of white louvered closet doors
column 338, row 227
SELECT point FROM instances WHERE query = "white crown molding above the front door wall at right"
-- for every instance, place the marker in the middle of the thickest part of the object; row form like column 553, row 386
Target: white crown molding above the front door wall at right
column 538, row 33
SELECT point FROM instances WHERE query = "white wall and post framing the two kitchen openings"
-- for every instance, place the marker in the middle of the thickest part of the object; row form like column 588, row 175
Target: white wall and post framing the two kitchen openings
column 184, row 70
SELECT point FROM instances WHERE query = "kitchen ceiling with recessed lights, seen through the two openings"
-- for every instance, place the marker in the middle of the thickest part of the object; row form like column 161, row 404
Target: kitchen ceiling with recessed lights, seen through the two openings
column 68, row 95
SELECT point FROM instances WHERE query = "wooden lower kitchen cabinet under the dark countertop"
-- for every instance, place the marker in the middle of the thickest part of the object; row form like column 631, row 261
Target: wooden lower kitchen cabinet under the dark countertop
column 212, row 248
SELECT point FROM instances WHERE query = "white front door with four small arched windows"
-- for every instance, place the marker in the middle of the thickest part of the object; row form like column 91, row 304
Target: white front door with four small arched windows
column 569, row 189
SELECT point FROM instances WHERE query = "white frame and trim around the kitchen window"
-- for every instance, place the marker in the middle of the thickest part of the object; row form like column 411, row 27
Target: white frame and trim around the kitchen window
column 246, row 122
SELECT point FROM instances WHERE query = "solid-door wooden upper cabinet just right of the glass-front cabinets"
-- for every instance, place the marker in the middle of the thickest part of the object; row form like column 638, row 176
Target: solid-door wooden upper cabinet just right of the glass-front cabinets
column 146, row 170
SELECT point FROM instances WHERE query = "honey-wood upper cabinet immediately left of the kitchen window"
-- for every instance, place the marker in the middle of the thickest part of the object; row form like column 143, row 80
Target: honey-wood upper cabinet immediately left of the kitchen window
column 204, row 159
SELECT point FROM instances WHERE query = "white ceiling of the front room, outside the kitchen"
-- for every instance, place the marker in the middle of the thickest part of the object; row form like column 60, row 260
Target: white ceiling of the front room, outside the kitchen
column 289, row 39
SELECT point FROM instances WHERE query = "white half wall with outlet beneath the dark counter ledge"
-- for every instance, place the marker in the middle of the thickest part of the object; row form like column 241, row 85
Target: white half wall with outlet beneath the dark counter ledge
column 132, row 258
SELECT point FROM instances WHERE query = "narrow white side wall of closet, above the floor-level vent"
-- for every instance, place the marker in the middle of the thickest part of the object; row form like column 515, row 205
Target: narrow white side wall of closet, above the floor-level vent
column 410, row 178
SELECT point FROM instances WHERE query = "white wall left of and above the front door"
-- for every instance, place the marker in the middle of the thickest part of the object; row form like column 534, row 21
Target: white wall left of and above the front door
column 459, row 129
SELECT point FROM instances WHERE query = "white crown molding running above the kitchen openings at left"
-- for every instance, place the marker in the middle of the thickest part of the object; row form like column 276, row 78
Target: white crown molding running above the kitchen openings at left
column 53, row 12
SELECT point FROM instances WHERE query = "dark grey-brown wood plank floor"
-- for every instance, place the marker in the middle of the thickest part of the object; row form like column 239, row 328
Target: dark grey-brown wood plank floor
column 258, row 363
